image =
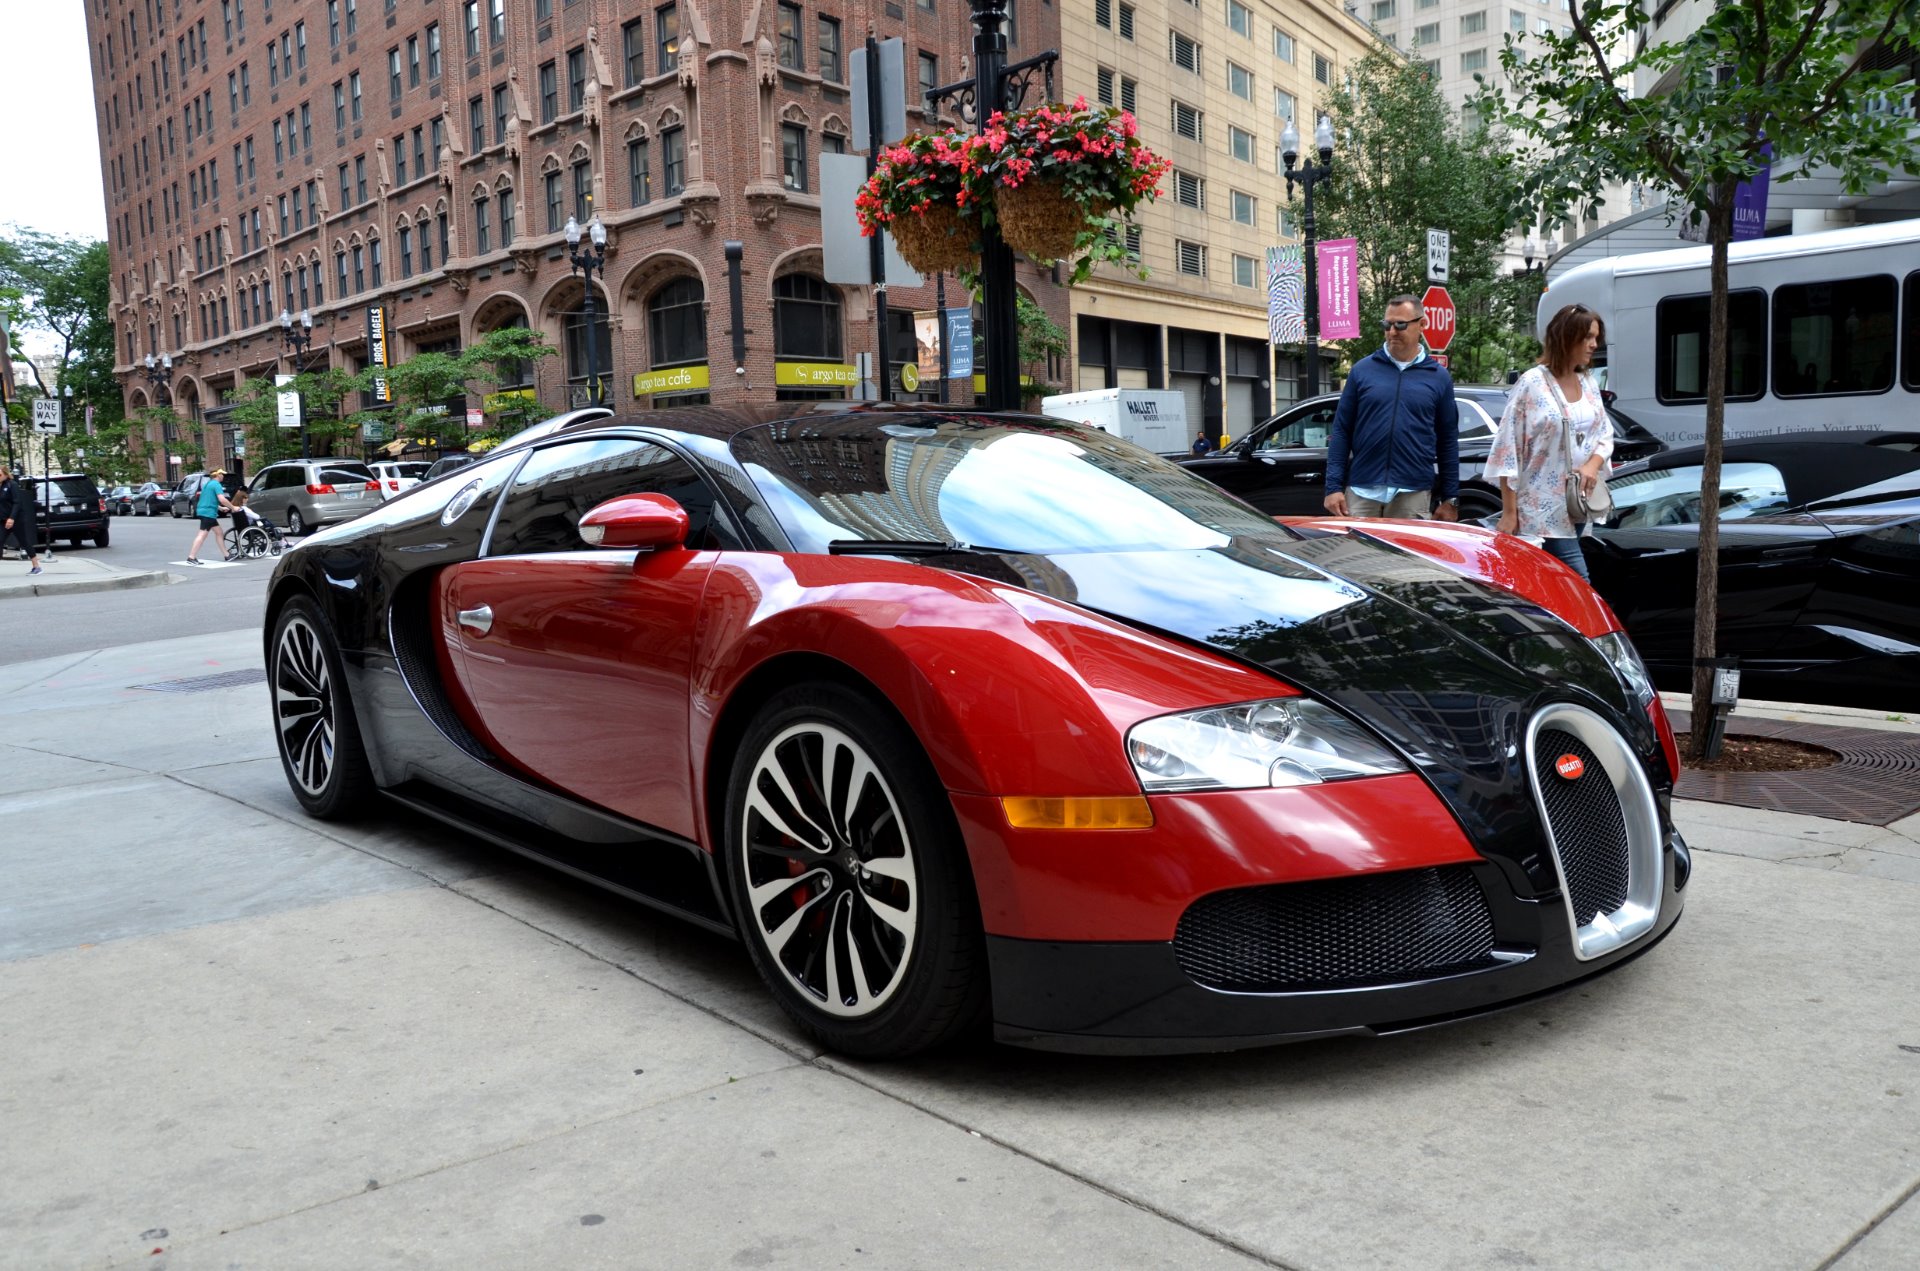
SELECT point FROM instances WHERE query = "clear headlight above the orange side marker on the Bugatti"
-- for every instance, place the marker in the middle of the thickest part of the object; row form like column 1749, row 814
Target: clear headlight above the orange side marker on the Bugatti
column 1278, row 742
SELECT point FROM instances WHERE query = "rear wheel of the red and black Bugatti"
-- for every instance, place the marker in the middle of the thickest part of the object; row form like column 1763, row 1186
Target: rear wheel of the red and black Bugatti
column 314, row 717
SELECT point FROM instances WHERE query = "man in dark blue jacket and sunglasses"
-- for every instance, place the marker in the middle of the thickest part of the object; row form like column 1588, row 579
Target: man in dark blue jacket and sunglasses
column 1395, row 427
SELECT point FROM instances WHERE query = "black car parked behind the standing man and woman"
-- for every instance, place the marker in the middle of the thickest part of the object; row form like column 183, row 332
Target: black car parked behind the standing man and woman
column 1282, row 466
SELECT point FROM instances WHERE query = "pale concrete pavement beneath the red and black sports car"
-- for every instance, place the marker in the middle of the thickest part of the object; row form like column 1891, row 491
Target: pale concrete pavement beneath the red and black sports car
column 235, row 1038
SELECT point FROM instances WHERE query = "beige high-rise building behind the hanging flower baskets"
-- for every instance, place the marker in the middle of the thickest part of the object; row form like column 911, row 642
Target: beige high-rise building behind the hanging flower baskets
column 1212, row 84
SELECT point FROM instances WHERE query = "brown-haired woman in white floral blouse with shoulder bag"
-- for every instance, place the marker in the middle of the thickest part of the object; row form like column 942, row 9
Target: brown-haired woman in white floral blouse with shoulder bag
column 1529, row 458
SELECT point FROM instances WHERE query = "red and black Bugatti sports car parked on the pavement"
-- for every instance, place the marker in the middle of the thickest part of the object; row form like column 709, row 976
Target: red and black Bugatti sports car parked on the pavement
column 961, row 717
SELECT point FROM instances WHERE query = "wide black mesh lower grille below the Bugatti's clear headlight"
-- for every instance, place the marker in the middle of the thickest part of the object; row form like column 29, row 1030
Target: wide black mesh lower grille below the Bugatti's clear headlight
column 1337, row 934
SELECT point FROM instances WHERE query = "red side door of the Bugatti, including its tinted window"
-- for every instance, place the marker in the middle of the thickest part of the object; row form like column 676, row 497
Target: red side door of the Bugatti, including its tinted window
column 577, row 661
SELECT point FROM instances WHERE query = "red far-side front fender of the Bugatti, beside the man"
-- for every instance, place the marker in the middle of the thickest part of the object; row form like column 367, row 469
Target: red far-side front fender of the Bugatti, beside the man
column 1499, row 560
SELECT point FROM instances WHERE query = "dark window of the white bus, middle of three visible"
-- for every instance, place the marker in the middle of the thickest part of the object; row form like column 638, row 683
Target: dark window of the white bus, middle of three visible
column 1835, row 339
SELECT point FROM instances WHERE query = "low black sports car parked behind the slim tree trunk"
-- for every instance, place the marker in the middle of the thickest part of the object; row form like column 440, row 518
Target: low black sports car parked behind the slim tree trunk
column 1819, row 565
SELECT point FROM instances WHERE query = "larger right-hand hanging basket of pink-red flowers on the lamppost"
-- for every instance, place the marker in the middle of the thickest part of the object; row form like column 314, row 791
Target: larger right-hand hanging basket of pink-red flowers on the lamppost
column 1061, row 172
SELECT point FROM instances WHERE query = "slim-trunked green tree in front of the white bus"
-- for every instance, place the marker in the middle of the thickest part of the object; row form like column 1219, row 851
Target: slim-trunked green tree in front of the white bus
column 1752, row 84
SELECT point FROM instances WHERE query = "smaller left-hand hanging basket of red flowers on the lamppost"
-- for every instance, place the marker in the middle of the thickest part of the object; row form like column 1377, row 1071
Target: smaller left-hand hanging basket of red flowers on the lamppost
column 930, row 197
